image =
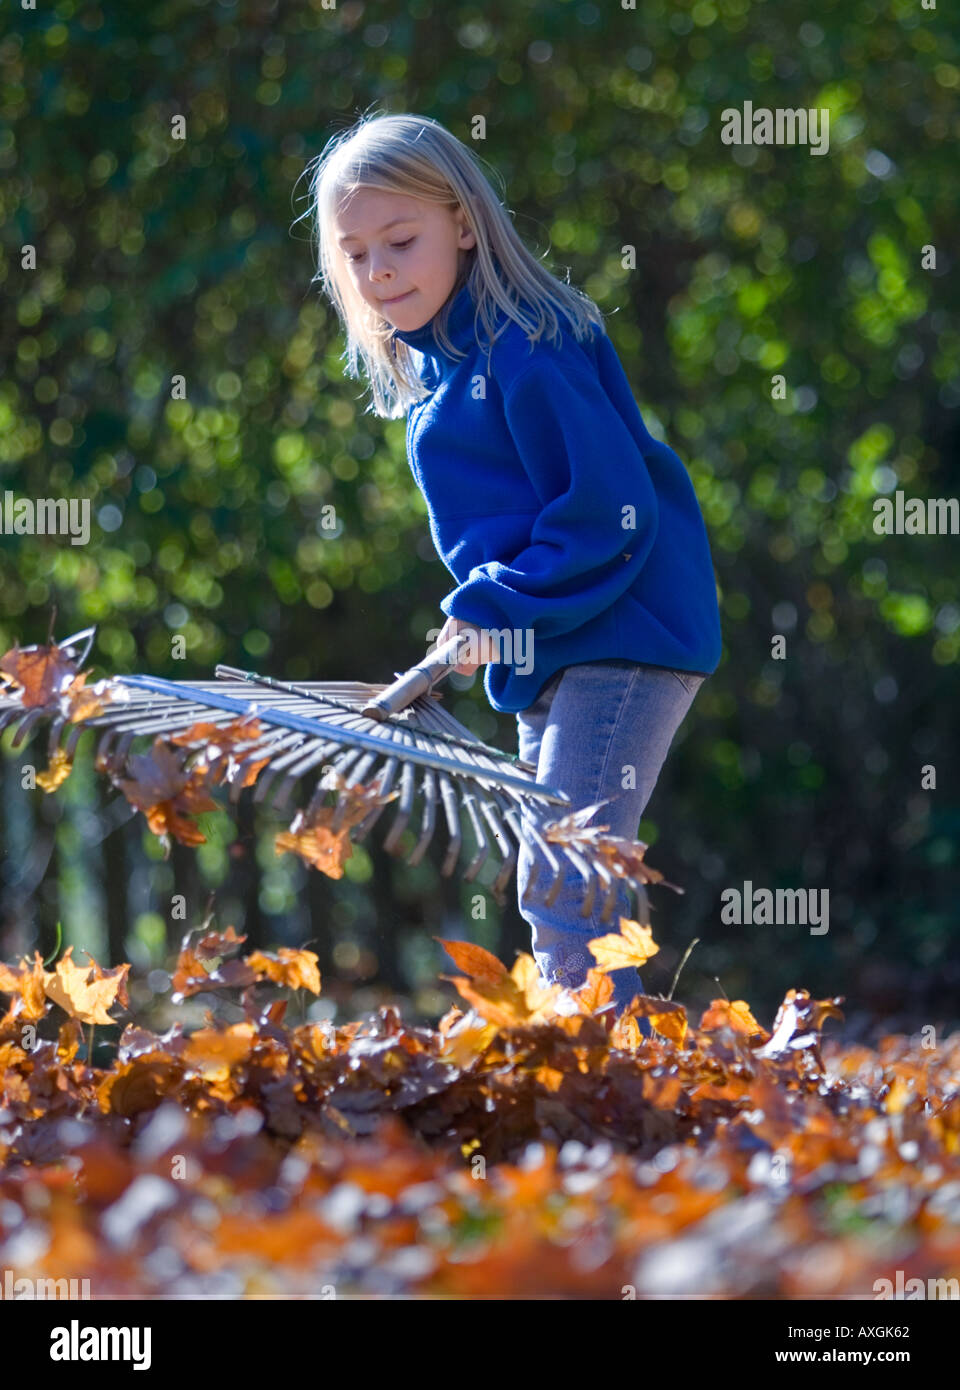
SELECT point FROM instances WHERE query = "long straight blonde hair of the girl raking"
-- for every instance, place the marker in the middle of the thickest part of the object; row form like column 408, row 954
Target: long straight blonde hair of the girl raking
column 417, row 156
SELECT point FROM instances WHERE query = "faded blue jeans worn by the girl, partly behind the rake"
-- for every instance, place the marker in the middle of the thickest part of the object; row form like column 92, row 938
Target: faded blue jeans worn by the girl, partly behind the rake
column 587, row 728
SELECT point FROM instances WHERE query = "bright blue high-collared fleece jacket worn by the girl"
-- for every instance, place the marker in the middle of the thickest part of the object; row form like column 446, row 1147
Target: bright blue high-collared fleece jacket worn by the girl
column 570, row 530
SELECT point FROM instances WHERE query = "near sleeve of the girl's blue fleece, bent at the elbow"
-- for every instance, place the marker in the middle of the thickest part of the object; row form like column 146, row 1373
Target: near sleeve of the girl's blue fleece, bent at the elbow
column 598, row 507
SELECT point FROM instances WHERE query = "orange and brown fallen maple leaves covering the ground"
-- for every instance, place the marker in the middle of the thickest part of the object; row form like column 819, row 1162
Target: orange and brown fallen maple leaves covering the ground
column 527, row 1146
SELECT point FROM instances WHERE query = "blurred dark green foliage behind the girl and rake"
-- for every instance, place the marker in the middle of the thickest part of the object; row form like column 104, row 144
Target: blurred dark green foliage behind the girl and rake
column 160, row 258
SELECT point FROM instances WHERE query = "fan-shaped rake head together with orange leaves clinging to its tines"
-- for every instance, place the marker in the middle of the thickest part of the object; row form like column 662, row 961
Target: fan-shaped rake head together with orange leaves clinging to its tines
column 366, row 746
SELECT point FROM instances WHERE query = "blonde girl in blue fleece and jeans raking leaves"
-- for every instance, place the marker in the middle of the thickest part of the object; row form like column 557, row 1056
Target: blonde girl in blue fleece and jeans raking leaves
column 581, row 558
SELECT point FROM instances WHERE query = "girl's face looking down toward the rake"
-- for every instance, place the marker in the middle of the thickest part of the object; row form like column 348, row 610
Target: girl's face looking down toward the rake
column 406, row 270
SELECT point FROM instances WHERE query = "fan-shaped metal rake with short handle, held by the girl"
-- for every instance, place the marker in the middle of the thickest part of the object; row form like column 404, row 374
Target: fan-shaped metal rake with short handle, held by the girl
column 354, row 737
